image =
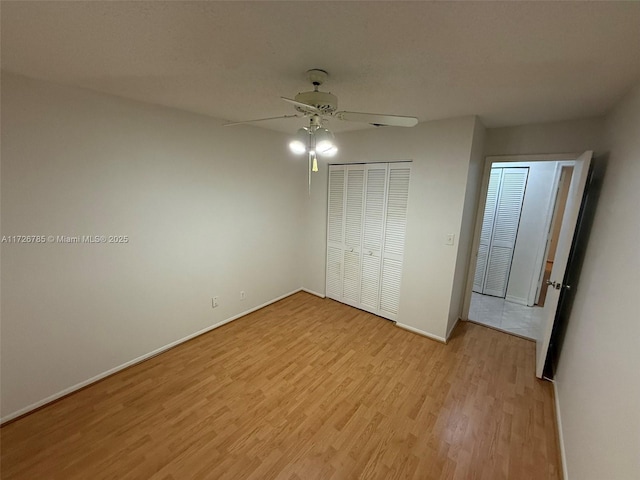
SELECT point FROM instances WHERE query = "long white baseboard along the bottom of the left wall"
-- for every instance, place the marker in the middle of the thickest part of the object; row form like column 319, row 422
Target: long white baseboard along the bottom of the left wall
column 139, row 359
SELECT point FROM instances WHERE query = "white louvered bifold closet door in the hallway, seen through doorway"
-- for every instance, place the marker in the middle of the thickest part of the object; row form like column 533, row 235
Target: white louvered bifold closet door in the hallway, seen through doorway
column 508, row 208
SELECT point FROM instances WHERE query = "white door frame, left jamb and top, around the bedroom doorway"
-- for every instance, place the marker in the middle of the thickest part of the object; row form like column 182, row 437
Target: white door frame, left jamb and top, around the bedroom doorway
column 488, row 162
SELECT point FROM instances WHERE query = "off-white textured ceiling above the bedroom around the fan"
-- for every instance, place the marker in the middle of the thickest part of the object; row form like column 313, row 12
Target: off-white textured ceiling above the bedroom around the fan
column 509, row 62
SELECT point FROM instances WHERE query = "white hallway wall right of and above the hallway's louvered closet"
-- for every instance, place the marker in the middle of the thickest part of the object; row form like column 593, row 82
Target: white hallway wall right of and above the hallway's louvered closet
column 531, row 239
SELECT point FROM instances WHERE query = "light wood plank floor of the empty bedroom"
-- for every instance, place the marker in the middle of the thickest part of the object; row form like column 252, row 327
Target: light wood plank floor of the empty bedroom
column 303, row 389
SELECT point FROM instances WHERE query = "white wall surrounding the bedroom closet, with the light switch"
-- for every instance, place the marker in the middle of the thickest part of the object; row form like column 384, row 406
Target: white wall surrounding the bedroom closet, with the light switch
column 441, row 153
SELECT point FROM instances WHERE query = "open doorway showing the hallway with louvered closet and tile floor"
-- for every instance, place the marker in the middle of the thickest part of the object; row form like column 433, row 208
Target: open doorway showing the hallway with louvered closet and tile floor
column 523, row 211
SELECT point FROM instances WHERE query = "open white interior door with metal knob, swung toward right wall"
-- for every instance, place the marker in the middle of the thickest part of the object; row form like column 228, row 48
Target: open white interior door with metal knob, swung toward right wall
column 572, row 208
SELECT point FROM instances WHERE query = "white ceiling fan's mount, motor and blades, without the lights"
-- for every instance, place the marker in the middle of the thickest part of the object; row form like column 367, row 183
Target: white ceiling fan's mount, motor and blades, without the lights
column 318, row 105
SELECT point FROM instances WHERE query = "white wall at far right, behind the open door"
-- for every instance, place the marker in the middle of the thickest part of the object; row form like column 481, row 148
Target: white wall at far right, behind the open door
column 598, row 379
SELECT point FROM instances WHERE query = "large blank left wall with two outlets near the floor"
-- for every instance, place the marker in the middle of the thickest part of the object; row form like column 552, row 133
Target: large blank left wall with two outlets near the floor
column 208, row 211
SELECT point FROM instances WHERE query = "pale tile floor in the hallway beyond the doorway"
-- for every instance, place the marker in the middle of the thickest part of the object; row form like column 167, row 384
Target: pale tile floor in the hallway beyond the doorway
column 511, row 317
